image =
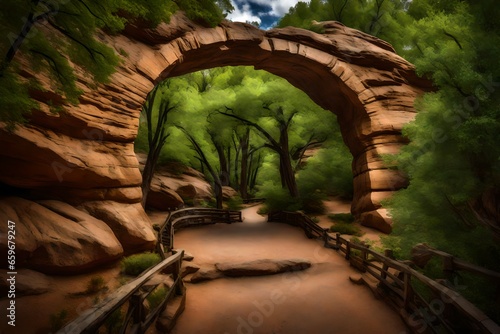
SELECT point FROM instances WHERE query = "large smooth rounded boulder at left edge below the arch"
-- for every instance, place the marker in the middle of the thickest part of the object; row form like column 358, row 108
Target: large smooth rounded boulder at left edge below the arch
column 54, row 237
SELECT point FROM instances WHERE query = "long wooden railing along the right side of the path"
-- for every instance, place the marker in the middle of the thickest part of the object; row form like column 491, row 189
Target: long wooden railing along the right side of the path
column 441, row 310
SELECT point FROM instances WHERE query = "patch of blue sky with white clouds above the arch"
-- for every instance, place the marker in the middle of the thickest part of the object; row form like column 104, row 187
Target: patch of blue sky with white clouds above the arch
column 266, row 12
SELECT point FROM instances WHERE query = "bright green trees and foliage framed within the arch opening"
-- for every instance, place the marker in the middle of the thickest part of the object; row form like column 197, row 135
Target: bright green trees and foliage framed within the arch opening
column 237, row 149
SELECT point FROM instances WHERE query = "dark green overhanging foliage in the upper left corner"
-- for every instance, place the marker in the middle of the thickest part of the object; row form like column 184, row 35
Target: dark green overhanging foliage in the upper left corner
column 53, row 36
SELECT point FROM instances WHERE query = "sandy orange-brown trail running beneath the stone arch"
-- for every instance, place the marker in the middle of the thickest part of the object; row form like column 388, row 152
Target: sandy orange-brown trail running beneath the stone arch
column 318, row 300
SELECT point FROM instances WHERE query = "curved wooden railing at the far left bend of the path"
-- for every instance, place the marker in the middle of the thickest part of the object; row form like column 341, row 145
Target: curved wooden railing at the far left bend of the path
column 191, row 217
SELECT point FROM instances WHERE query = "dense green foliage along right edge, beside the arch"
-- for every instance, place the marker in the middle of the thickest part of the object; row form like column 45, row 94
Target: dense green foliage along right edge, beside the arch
column 453, row 156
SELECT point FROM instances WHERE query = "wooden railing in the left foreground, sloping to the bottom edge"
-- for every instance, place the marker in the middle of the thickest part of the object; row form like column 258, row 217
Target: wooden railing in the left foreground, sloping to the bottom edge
column 137, row 318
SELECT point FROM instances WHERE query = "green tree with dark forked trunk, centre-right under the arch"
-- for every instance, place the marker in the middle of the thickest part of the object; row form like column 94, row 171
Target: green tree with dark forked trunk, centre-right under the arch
column 270, row 108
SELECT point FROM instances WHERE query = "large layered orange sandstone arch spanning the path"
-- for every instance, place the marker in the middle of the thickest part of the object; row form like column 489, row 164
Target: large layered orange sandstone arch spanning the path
column 85, row 154
